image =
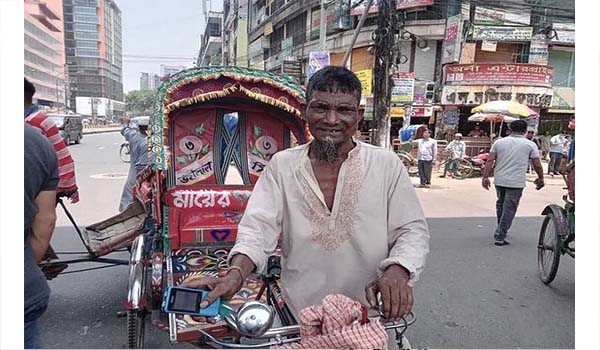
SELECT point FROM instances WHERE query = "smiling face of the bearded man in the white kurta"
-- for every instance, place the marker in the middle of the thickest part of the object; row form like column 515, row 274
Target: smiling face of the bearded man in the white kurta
column 333, row 117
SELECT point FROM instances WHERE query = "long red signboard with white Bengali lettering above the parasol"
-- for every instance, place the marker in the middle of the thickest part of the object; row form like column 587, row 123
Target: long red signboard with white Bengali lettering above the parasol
column 498, row 74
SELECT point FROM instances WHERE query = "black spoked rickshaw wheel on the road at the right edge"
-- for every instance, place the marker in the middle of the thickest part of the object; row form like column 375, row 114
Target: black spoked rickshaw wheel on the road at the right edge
column 549, row 245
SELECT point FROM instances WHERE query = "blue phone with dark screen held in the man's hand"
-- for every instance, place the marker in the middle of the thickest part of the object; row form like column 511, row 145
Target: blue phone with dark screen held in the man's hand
column 180, row 300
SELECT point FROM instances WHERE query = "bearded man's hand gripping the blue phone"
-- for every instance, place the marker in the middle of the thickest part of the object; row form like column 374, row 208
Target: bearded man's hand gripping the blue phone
column 224, row 287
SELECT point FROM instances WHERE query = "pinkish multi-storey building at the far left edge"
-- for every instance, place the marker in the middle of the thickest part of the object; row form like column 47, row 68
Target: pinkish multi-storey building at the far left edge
column 44, row 51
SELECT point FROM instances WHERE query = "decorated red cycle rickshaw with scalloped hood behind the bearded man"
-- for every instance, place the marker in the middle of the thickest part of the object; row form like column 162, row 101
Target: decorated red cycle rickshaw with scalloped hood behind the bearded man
column 212, row 133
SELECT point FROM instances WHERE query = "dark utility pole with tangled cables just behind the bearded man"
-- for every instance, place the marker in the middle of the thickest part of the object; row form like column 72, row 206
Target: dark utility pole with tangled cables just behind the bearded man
column 385, row 35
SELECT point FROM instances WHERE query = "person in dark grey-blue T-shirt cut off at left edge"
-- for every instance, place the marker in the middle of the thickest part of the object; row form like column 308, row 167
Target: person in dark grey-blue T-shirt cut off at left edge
column 41, row 181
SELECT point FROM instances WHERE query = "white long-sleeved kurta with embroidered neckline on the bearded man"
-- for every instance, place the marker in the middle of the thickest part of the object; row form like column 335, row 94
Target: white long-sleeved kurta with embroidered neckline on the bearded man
column 376, row 221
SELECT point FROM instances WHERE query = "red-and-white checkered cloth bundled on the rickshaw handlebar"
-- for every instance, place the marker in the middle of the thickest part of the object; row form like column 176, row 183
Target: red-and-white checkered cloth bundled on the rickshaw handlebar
column 332, row 326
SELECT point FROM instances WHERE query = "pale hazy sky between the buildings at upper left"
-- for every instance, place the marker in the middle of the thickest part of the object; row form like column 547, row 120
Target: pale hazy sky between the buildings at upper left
column 160, row 28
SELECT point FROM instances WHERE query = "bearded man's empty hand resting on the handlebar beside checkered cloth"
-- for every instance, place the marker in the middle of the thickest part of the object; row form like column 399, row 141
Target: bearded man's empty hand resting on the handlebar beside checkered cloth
column 396, row 295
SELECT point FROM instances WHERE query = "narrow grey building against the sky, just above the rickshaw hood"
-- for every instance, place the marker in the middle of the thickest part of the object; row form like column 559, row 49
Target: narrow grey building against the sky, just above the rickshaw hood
column 211, row 49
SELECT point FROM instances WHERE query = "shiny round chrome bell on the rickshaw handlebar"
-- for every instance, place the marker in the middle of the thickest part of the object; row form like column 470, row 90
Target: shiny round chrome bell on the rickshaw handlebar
column 254, row 319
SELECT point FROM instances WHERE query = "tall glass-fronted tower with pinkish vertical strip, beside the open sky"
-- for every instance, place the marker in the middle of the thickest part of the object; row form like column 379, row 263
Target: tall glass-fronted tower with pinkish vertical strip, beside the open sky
column 94, row 56
